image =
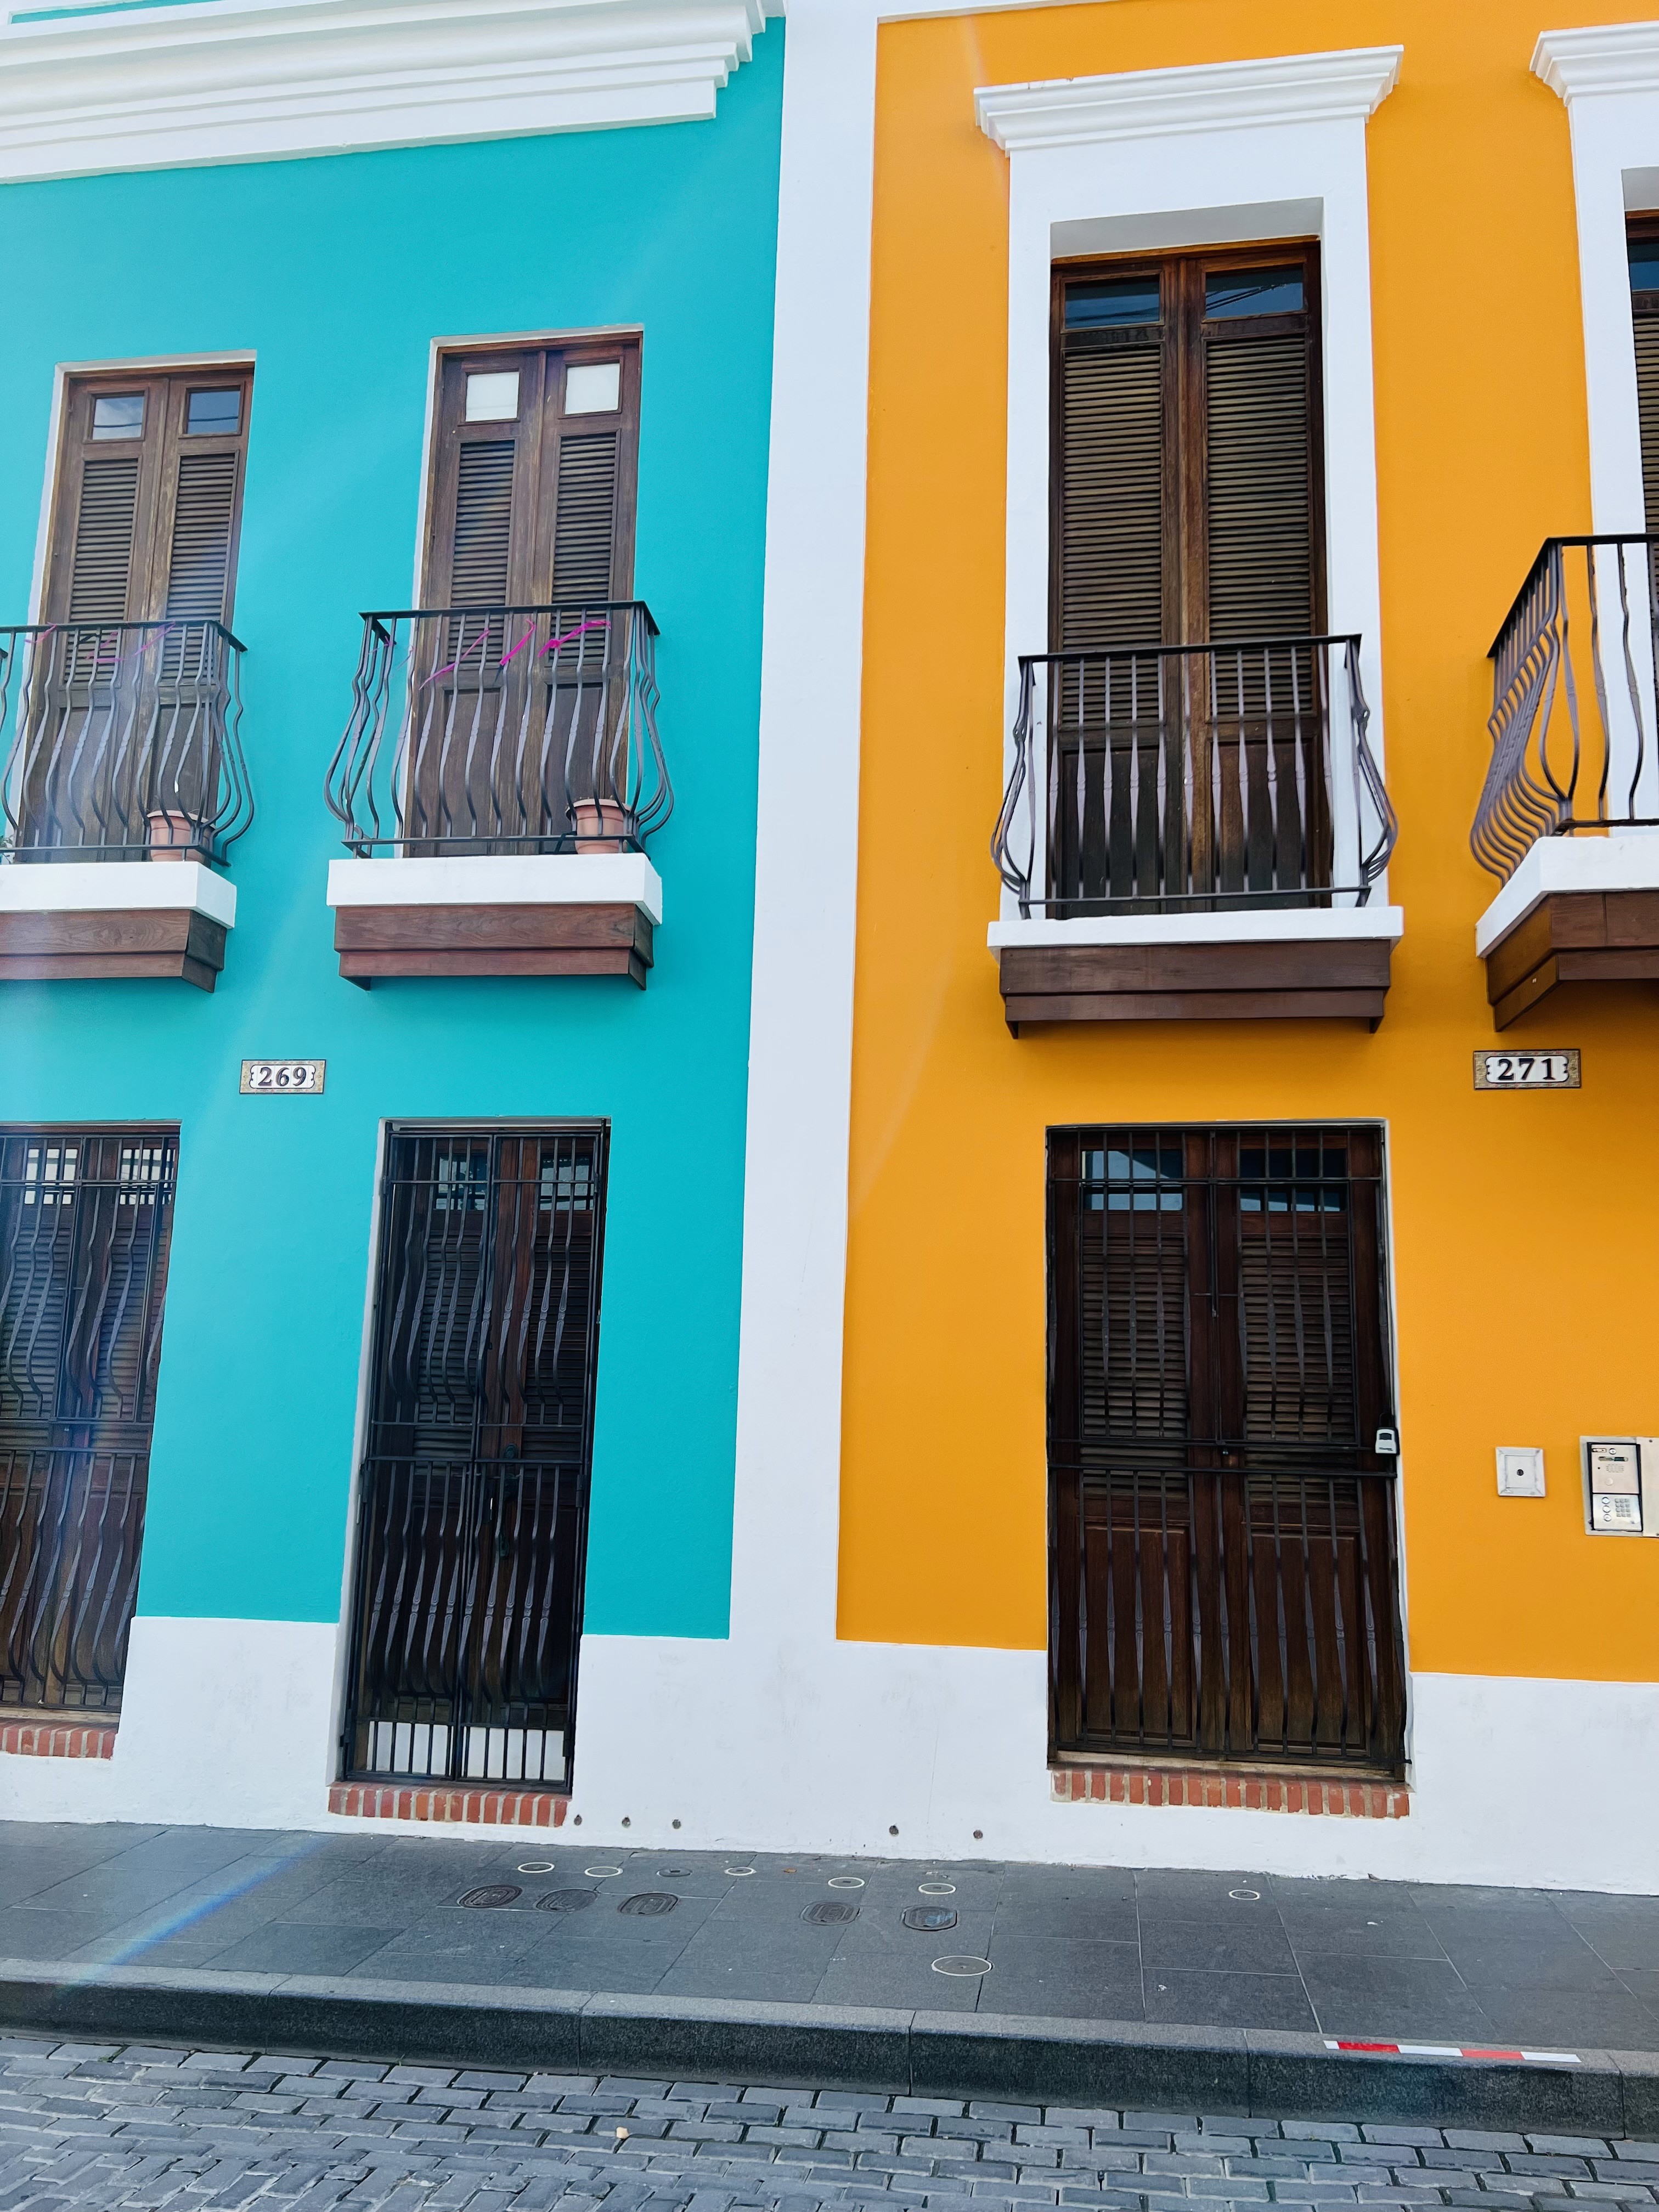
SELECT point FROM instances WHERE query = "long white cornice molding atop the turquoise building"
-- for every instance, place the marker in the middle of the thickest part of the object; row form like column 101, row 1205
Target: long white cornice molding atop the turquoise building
column 258, row 81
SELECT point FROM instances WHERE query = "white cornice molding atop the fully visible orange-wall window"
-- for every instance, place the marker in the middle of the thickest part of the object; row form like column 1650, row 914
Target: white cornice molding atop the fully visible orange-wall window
column 1215, row 96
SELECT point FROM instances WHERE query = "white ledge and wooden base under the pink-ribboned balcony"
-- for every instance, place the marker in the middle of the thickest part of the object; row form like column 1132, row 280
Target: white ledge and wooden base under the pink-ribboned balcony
column 497, row 915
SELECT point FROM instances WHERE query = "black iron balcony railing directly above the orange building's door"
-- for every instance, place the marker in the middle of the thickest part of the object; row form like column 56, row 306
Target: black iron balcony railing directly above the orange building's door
column 1193, row 780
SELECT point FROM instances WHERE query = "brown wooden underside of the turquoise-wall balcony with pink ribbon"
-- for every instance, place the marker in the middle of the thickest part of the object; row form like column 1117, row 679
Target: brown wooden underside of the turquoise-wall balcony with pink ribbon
column 492, row 941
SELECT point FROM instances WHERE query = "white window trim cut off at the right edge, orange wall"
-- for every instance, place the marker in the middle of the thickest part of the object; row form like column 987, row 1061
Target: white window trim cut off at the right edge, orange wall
column 1609, row 79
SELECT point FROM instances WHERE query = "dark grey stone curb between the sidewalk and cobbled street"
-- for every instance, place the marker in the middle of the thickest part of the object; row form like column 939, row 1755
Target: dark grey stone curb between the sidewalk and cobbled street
column 1129, row 2065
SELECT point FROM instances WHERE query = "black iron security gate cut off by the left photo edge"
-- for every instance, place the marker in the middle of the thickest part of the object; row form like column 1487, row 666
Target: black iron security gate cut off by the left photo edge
column 85, row 1227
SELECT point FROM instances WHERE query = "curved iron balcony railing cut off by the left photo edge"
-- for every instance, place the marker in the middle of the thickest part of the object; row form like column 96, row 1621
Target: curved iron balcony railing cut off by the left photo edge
column 123, row 742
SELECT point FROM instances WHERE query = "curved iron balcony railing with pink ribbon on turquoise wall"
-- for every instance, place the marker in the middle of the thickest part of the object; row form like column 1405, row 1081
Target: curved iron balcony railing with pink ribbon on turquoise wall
column 503, row 731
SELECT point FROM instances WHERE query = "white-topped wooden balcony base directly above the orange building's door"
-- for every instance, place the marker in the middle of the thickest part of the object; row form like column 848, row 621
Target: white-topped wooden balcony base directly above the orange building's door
column 1288, row 963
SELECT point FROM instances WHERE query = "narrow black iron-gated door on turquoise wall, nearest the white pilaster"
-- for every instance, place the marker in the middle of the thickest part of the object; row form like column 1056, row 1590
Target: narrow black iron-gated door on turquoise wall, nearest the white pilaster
column 474, row 1485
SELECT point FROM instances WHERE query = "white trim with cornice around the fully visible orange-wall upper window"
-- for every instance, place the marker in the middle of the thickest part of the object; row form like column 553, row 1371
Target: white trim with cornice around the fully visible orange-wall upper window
column 1167, row 158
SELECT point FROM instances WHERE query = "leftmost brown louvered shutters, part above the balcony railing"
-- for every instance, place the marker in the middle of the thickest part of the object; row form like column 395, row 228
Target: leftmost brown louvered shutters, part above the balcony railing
column 149, row 497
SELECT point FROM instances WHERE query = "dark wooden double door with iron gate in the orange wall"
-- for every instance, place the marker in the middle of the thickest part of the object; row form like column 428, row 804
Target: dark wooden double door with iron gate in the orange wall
column 1224, row 1565
